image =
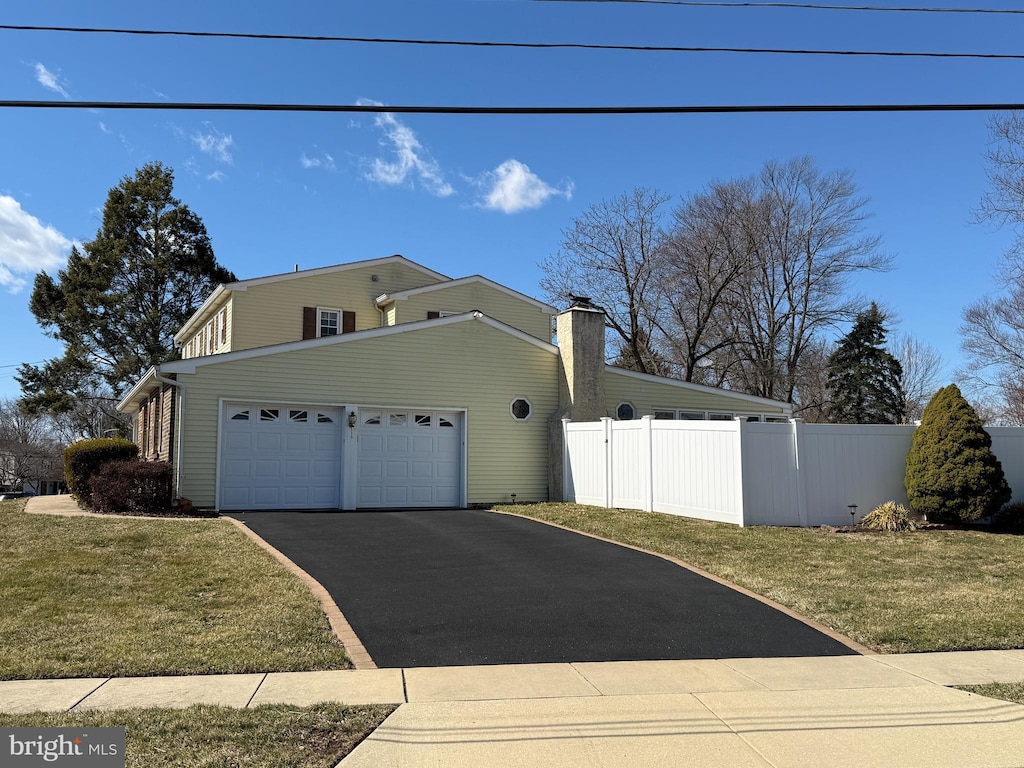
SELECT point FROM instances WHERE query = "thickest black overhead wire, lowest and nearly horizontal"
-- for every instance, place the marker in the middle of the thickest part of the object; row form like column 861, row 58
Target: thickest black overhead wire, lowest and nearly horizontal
column 420, row 110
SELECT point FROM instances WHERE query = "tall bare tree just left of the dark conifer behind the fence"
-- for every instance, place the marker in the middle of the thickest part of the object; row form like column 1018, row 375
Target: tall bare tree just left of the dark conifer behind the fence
column 810, row 242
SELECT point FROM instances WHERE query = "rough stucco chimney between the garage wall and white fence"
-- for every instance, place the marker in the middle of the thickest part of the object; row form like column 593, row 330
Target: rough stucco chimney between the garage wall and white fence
column 581, row 378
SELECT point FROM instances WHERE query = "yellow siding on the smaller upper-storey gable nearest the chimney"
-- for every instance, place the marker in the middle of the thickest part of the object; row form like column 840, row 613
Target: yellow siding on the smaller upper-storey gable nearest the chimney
column 465, row 298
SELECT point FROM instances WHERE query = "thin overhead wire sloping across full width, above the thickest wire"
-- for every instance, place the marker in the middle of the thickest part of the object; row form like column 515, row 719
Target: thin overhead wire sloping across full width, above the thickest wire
column 492, row 45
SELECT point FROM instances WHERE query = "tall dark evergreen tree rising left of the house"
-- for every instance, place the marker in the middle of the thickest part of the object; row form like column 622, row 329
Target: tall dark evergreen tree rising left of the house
column 121, row 298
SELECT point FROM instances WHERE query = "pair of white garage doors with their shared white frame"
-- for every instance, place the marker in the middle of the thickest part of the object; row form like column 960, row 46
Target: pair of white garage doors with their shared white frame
column 287, row 456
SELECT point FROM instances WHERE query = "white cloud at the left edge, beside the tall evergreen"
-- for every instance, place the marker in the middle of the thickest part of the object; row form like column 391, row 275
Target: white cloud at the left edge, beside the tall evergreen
column 27, row 246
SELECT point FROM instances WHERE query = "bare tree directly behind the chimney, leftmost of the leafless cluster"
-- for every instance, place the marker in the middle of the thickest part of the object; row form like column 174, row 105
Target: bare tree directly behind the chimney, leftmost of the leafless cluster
column 608, row 255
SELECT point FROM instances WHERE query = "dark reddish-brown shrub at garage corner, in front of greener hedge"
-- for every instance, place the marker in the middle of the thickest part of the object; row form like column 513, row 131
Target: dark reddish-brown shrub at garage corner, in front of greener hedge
column 133, row 487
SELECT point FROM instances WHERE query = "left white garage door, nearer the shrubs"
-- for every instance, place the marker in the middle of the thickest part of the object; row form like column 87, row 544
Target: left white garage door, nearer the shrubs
column 281, row 457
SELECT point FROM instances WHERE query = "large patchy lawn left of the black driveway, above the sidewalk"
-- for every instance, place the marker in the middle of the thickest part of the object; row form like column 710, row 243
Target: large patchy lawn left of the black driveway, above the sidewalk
column 87, row 598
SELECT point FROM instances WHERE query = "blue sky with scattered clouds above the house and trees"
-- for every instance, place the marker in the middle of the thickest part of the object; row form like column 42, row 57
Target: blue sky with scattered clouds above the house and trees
column 488, row 195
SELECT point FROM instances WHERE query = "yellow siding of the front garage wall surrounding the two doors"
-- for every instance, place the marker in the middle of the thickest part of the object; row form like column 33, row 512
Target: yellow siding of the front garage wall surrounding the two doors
column 459, row 366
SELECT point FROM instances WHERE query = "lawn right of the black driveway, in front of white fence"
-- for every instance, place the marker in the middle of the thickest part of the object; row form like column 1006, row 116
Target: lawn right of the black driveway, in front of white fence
column 921, row 591
